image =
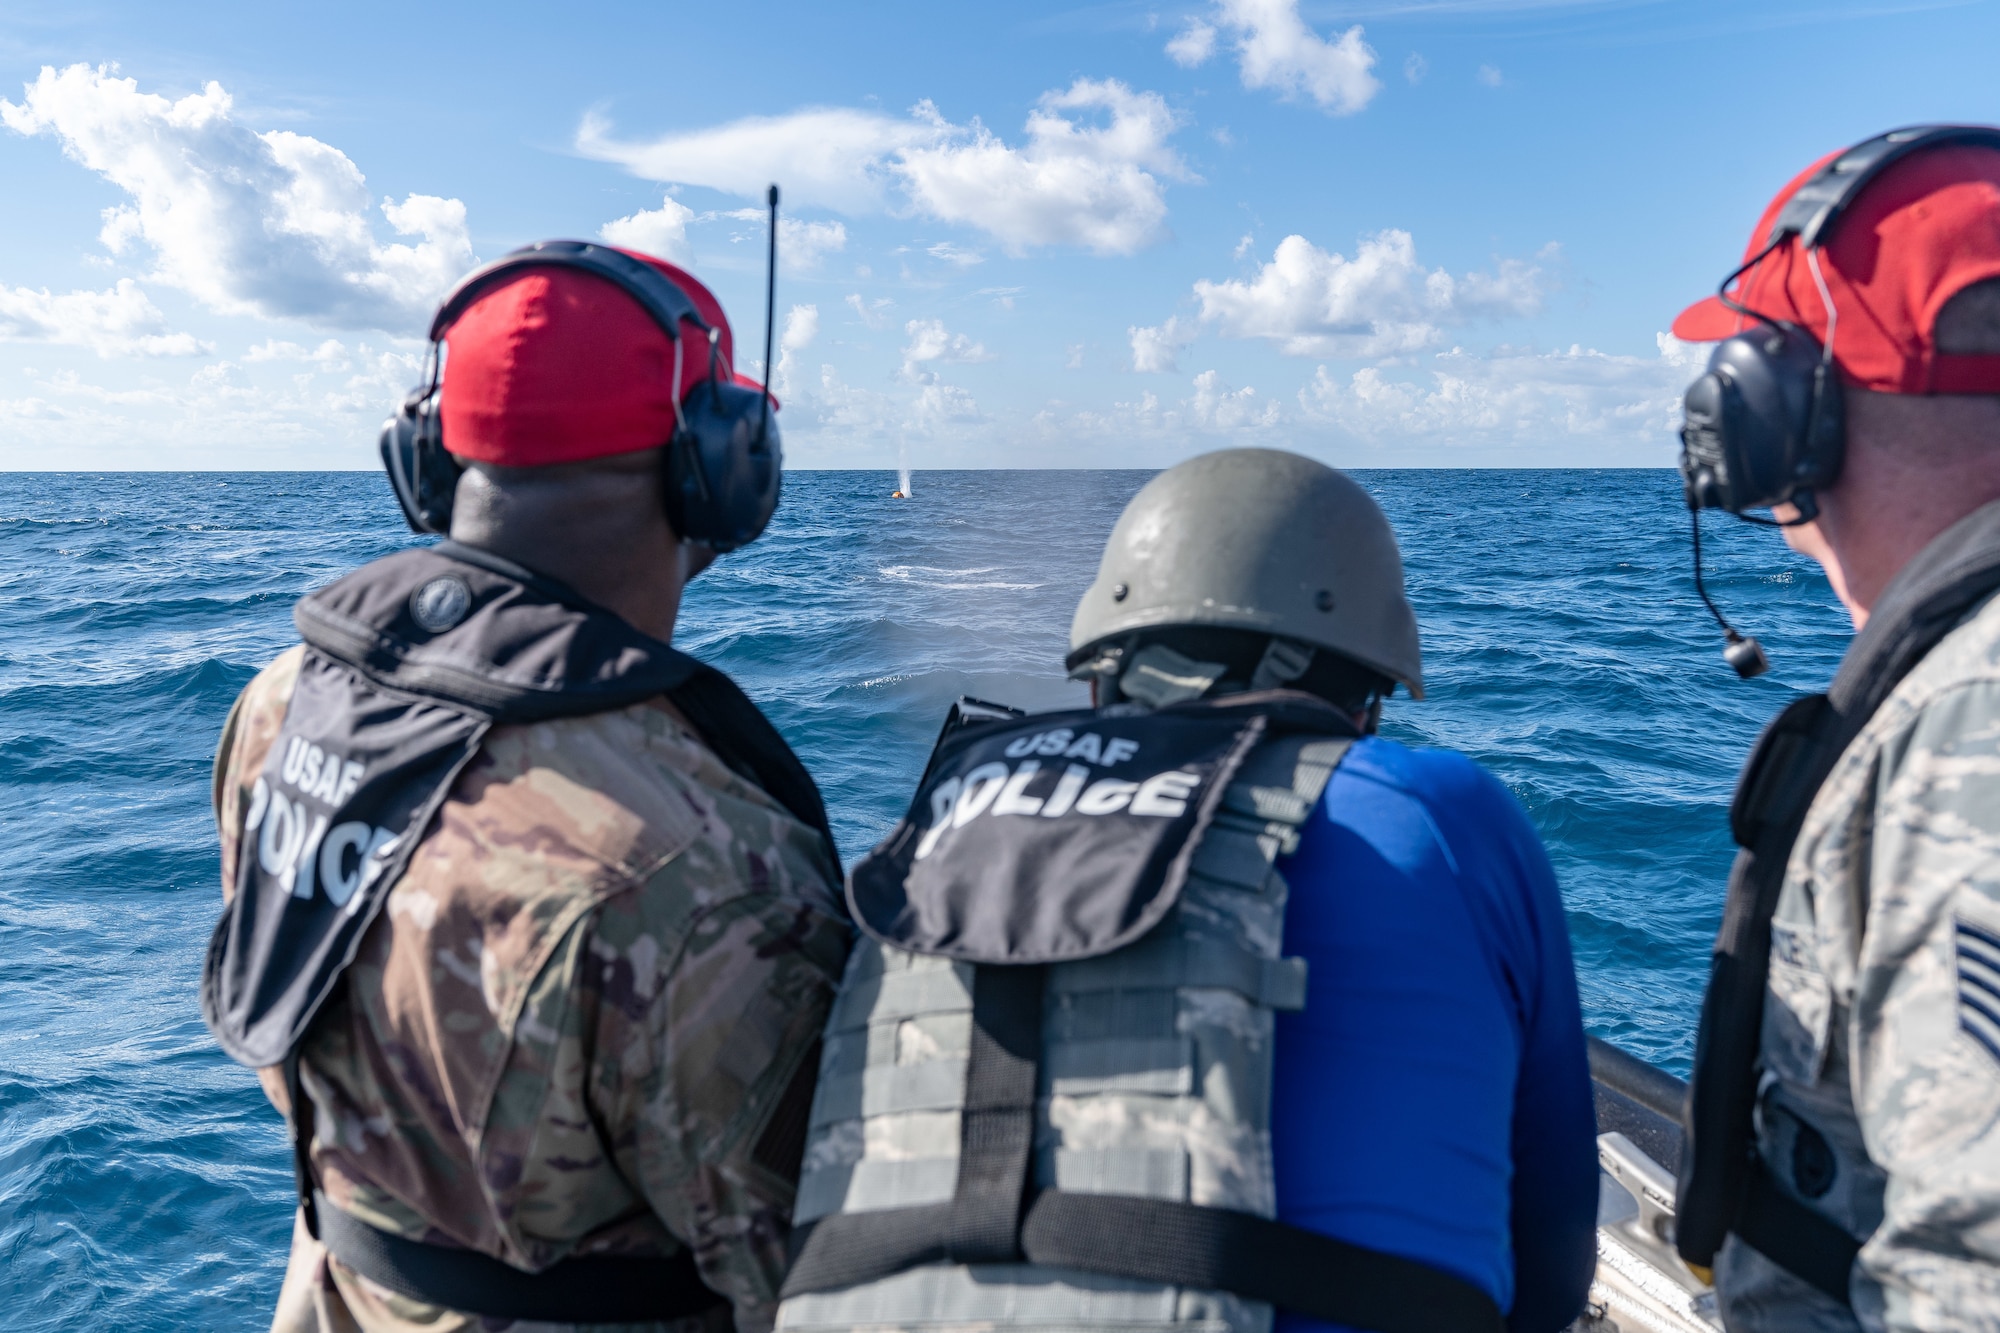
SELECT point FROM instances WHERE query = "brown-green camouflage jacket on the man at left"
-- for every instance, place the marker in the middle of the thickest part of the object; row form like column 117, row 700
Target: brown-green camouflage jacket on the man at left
column 579, row 1020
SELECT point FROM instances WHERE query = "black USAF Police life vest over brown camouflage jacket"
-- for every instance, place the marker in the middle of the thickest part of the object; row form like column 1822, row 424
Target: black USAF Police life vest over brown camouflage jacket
column 409, row 663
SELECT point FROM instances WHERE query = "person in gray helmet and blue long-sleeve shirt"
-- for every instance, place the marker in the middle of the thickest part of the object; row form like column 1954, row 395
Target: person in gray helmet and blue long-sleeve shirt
column 1207, row 1002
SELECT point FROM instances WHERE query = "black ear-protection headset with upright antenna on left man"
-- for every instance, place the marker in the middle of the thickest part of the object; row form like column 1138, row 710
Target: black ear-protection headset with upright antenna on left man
column 723, row 461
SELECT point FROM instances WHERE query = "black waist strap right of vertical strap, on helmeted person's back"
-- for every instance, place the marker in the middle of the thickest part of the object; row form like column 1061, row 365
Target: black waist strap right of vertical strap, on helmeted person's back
column 1221, row 1250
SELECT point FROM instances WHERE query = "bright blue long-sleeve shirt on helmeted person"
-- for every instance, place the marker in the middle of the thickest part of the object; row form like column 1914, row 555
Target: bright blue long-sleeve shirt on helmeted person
column 1433, row 1100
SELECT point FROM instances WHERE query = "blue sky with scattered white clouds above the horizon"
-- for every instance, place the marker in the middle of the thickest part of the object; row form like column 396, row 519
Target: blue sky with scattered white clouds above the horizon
column 1433, row 233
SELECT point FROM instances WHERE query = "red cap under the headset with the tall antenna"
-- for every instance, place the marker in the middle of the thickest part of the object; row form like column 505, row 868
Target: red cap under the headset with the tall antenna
column 561, row 365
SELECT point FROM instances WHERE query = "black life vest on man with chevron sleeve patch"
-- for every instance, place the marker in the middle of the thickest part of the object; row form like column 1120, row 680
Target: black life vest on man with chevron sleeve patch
column 1725, row 1188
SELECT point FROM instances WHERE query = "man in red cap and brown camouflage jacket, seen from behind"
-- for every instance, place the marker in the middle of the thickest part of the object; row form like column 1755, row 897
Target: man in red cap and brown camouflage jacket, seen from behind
column 577, row 1042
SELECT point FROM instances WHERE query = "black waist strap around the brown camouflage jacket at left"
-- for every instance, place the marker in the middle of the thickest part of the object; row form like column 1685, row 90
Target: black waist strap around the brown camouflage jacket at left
column 581, row 1290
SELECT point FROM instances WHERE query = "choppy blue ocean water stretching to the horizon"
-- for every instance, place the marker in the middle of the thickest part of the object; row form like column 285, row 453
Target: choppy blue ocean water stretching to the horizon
column 145, row 1180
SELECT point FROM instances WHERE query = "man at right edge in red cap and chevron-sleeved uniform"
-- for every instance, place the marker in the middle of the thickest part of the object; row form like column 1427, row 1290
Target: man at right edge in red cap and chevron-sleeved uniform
column 1845, row 1122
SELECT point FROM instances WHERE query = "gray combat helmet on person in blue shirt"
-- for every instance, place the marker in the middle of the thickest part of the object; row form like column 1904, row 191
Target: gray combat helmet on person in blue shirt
column 1265, row 541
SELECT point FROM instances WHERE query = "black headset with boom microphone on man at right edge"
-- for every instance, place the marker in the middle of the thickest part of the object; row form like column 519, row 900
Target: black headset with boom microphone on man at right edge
column 1767, row 423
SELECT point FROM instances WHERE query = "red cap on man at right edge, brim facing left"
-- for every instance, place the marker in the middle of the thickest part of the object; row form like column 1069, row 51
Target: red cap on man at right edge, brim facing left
column 1911, row 241
